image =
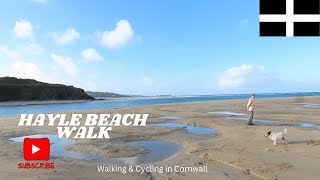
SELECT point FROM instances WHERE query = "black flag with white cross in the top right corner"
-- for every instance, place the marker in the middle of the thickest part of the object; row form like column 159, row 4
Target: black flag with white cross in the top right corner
column 289, row 18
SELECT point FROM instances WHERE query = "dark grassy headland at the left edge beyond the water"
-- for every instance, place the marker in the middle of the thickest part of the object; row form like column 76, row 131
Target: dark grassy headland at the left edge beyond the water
column 14, row 89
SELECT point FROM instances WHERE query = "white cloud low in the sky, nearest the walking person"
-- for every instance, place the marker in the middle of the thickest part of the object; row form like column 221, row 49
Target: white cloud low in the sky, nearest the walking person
column 236, row 77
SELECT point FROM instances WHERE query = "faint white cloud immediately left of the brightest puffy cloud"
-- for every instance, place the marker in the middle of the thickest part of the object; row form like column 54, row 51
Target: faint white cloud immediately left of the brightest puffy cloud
column 67, row 37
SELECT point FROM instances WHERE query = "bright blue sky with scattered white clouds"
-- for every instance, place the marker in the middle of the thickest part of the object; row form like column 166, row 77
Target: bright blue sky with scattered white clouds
column 157, row 47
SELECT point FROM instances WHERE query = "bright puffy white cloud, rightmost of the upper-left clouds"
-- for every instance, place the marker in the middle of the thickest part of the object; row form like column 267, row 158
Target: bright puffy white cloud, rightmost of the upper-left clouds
column 119, row 36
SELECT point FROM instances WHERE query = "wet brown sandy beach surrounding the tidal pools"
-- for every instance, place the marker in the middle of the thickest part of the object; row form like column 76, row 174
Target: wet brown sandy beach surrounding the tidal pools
column 235, row 151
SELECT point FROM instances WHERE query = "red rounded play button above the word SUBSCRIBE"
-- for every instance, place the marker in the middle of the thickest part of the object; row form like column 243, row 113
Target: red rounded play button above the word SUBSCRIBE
column 36, row 149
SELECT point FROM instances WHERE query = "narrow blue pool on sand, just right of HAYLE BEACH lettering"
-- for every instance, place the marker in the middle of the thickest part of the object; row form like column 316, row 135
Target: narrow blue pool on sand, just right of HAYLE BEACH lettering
column 190, row 129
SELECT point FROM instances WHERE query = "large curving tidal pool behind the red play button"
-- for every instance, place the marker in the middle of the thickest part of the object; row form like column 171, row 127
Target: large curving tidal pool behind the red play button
column 158, row 150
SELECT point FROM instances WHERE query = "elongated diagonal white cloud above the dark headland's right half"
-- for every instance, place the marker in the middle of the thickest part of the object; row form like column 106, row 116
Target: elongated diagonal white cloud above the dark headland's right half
column 66, row 64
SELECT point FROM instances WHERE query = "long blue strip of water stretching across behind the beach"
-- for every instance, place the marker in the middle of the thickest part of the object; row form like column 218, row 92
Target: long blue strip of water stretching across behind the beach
column 91, row 105
